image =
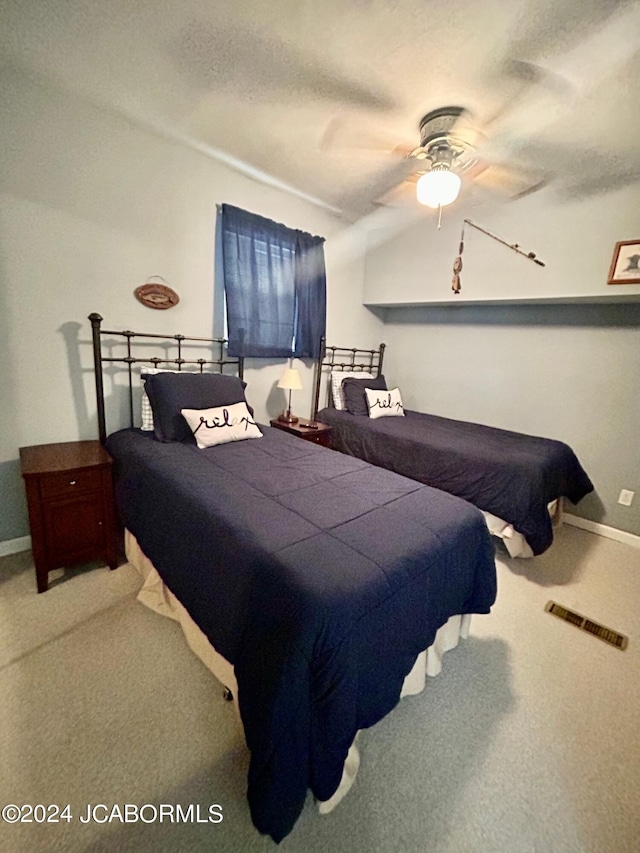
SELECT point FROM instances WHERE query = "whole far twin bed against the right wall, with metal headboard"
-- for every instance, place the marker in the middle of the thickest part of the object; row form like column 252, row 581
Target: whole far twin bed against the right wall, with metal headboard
column 518, row 481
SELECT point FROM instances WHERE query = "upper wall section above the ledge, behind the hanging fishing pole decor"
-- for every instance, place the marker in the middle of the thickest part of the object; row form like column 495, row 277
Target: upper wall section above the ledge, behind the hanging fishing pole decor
column 575, row 238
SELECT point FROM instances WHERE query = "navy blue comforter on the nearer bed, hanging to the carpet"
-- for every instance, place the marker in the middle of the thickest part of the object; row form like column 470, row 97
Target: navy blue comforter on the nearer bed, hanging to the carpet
column 318, row 576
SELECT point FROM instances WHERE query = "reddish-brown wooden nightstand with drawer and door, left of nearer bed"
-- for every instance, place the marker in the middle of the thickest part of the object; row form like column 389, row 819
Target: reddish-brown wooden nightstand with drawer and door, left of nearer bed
column 71, row 507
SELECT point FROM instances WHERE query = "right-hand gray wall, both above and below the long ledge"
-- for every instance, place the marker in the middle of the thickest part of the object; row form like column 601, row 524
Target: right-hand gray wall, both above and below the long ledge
column 565, row 371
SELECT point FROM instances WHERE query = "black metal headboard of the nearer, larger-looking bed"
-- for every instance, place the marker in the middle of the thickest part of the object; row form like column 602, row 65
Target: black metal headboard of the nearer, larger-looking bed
column 133, row 339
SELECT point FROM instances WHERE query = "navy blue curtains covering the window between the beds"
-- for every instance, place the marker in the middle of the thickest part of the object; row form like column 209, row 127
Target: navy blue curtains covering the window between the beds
column 275, row 287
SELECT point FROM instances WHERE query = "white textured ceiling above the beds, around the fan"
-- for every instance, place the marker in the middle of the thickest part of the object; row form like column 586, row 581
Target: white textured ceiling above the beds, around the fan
column 317, row 95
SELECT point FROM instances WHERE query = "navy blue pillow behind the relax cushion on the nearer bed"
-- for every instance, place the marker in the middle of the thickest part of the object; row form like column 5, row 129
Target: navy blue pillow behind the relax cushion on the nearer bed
column 170, row 392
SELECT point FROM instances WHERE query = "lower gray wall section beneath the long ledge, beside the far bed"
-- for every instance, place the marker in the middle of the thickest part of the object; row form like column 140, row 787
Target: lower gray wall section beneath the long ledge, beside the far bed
column 566, row 372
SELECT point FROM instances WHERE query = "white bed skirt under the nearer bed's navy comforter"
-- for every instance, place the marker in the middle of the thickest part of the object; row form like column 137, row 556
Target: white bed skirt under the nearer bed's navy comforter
column 155, row 595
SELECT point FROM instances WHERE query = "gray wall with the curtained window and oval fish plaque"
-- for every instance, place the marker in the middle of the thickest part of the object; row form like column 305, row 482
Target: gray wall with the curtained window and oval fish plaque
column 91, row 206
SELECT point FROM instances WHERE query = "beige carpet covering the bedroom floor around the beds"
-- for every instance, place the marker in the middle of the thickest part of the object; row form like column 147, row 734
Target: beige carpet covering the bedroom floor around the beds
column 529, row 740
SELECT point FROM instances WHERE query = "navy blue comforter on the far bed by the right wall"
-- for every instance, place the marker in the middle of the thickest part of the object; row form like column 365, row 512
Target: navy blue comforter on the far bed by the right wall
column 509, row 474
